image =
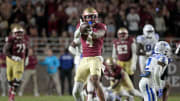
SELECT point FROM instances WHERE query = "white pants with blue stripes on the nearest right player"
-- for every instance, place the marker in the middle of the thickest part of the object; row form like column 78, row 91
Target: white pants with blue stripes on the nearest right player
column 147, row 90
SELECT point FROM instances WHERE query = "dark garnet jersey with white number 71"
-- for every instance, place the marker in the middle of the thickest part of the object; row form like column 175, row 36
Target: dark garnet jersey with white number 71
column 18, row 46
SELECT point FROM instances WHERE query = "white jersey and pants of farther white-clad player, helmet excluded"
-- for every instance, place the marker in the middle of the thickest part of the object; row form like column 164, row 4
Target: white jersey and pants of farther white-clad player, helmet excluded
column 148, row 47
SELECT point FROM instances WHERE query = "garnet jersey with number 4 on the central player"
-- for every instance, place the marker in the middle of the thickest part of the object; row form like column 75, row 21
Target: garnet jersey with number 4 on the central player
column 93, row 47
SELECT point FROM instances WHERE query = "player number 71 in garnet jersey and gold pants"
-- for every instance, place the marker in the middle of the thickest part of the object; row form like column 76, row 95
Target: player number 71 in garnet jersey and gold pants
column 15, row 49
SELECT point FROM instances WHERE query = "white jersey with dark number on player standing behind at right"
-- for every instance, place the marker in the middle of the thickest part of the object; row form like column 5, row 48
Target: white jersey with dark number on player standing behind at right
column 148, row 44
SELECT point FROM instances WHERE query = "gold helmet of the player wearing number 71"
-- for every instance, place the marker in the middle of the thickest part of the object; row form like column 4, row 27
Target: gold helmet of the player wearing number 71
column 18, row 31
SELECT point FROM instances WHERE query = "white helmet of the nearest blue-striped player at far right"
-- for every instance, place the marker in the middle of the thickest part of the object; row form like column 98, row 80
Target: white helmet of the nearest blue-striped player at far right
column 162, row 47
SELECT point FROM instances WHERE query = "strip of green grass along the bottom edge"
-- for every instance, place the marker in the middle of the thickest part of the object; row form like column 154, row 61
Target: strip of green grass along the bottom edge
column 63, row 98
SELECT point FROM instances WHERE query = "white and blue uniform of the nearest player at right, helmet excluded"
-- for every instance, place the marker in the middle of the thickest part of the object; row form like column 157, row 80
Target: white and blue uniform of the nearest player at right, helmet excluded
column 155, row 65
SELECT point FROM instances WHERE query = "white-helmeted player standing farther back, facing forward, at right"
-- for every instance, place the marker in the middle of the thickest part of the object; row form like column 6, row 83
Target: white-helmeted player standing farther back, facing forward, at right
column 146, row 44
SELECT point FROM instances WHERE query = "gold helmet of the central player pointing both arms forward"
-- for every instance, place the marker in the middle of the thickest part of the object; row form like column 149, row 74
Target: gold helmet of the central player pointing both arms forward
column 90, row 15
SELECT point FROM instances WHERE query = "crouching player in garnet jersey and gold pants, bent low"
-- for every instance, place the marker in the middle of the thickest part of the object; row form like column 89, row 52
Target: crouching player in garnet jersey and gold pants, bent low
column 121, row 84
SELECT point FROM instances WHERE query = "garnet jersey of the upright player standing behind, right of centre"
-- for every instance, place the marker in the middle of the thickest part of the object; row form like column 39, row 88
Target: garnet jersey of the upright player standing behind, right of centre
column 123, row 48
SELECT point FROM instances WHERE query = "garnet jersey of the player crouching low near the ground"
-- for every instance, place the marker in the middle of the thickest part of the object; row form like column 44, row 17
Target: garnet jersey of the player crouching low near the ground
column 113, row 75
